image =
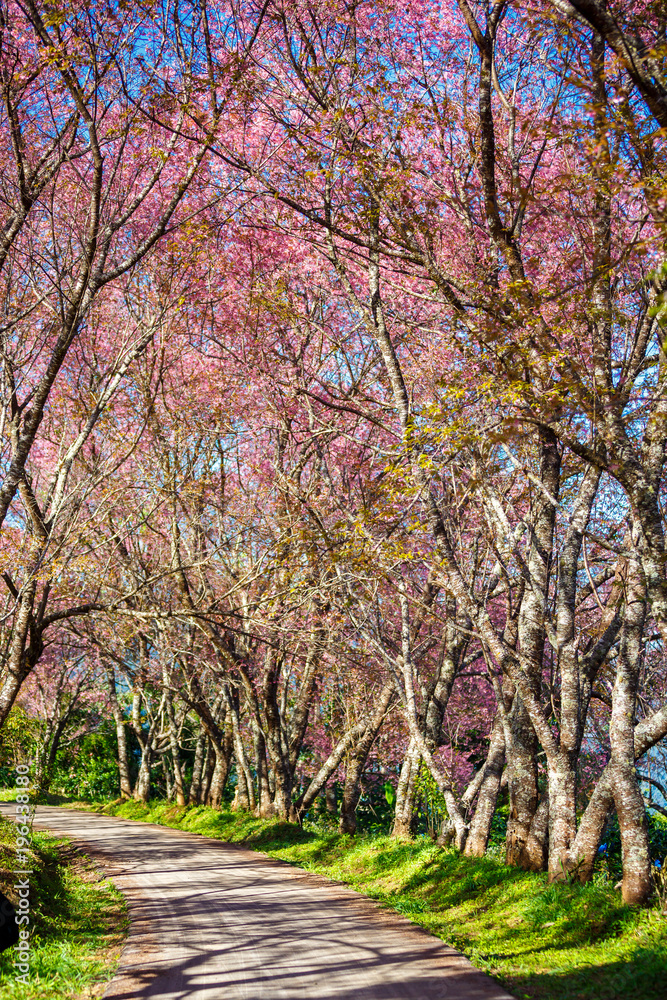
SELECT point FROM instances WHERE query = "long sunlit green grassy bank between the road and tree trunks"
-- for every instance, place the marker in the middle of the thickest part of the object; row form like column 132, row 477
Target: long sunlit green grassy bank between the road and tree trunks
column 540, row 941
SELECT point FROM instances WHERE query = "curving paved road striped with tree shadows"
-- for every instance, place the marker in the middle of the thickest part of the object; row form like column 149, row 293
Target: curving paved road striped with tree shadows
column 212, row 921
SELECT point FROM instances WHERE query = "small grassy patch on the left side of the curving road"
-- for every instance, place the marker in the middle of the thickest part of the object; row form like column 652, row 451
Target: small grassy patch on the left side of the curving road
column 77, row 921
